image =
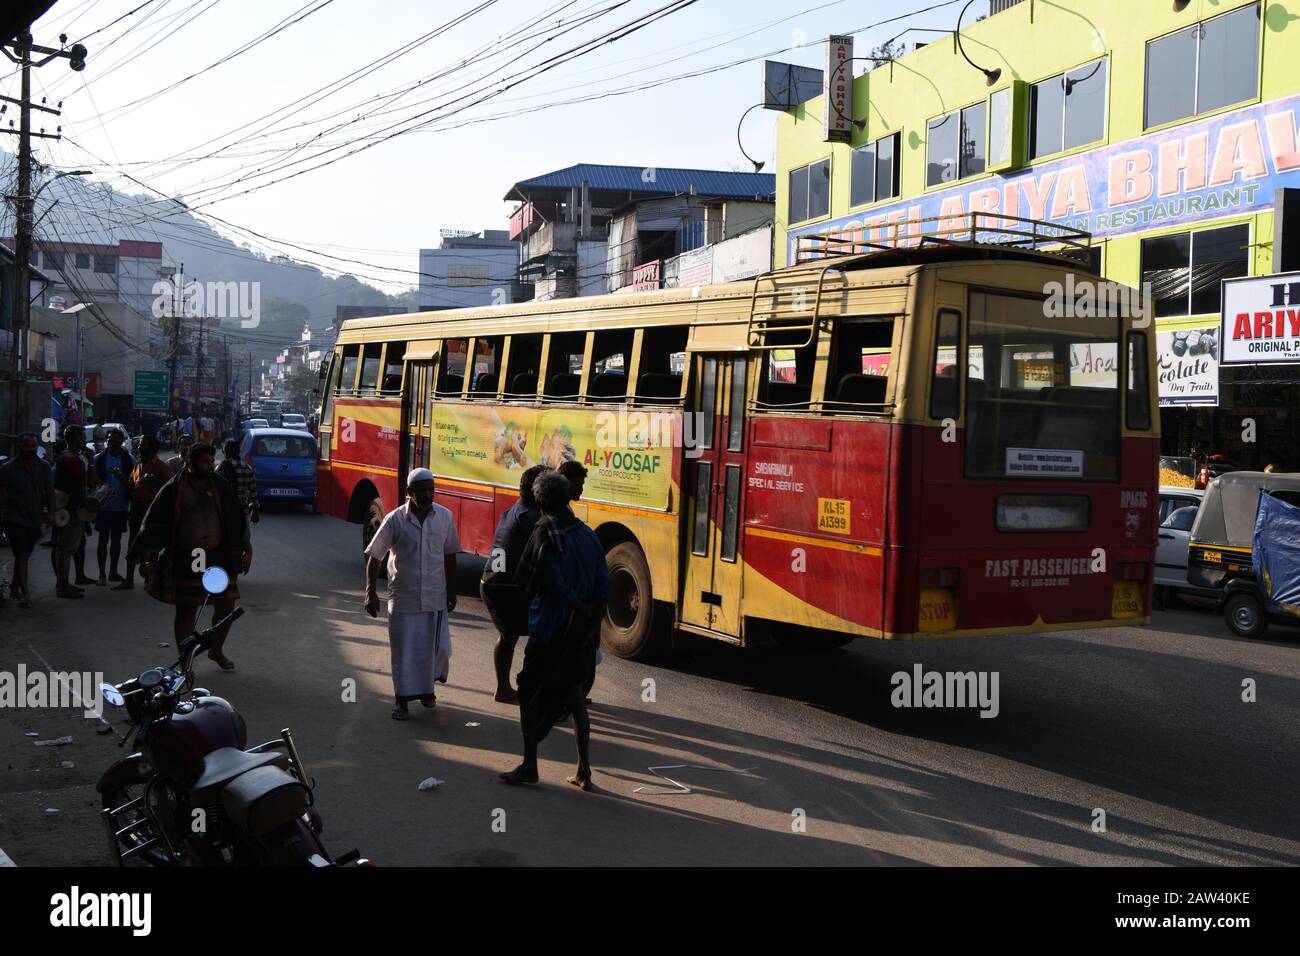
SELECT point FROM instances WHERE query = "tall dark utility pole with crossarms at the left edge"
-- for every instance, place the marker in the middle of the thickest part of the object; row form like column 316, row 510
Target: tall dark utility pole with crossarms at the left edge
column 24, row 202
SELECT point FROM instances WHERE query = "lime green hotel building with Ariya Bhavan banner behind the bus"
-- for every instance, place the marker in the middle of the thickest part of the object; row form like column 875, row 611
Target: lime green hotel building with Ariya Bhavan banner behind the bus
column 1168, row 129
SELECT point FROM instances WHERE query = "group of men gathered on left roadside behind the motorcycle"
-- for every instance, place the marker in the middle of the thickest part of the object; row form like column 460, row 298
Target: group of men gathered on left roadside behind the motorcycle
column 180, row 517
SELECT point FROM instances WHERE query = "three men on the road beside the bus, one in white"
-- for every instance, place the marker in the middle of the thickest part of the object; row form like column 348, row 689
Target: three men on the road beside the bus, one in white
column 547, row 579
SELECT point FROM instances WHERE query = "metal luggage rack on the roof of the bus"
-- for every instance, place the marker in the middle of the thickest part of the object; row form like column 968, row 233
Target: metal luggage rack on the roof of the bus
column 981, row 232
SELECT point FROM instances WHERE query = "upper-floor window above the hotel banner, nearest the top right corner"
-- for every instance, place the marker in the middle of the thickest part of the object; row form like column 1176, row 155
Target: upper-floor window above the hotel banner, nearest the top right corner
column 1204, row 67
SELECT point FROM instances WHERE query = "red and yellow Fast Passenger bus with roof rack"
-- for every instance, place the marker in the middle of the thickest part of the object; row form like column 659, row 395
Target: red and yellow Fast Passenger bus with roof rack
column 921, row 440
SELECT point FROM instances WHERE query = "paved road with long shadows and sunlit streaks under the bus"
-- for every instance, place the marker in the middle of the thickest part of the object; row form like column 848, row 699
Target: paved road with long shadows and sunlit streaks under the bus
column 1145, row 724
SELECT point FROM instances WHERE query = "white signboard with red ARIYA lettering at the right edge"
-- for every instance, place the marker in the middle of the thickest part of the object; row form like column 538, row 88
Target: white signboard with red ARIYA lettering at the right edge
column 1262, row 321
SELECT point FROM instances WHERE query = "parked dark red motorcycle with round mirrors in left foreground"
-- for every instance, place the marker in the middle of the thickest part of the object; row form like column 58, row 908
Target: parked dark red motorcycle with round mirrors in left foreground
column 192, row 794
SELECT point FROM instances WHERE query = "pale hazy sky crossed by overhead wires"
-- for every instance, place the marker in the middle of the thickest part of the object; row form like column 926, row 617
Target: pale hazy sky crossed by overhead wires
column 385, row 202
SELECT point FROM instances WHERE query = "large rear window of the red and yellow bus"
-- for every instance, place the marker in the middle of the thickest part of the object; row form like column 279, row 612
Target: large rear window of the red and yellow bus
column 1042, row 393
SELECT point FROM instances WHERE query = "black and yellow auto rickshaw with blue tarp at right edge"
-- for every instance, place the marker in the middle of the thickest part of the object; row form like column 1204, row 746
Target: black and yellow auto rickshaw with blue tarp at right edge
column 1246, row 544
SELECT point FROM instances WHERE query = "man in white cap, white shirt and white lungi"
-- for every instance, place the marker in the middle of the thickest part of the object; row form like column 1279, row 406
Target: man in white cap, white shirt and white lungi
column 422, row 546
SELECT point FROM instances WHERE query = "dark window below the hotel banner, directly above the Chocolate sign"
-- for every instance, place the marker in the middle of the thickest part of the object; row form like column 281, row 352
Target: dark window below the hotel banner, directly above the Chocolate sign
column 1185, row 270
